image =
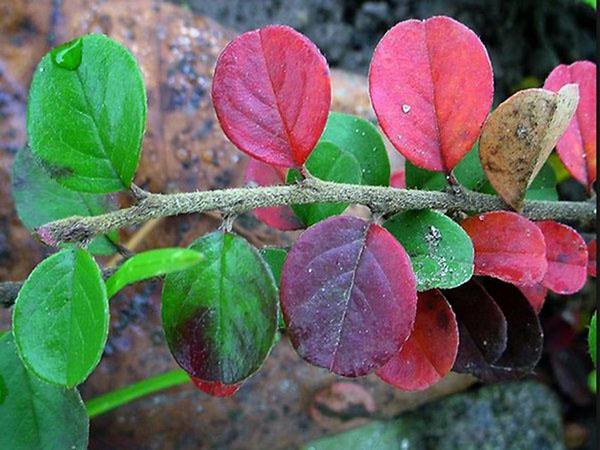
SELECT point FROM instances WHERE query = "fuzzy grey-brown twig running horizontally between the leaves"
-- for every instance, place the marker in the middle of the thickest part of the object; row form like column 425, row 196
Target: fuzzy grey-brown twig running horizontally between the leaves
column 238, row 200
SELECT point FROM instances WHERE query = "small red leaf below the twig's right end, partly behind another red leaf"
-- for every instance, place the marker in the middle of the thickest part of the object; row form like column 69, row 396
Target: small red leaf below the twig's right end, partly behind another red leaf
column 567, row 257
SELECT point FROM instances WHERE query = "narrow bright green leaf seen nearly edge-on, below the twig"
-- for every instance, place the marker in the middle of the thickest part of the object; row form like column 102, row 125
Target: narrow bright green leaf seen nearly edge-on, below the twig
column 151, row 263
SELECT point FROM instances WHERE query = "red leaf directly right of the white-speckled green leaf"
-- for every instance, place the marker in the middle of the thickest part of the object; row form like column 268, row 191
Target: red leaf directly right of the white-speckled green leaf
column 507, row 246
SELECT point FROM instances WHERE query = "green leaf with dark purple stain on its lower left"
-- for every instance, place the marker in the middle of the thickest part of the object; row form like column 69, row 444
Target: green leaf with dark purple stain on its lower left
column 220, row 316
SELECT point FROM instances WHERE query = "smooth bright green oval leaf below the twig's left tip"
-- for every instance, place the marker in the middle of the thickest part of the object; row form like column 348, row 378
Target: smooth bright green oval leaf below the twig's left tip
column 60, row 318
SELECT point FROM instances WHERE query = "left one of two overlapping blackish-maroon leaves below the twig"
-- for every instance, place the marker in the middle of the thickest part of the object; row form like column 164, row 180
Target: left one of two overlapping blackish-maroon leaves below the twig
column 481, row 328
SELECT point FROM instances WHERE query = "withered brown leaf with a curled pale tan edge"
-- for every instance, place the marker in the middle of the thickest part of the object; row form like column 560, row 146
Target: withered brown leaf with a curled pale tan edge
column 519, row 135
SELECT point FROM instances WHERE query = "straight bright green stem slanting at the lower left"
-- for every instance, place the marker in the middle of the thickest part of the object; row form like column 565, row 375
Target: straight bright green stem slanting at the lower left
column 114, row 399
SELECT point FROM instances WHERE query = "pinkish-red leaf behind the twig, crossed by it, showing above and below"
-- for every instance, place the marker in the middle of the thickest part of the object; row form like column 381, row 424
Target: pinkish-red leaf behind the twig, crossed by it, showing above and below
column 280, row 217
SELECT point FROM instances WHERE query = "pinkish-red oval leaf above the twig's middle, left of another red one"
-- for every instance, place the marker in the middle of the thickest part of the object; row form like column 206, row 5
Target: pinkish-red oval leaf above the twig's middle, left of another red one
column 272, row 94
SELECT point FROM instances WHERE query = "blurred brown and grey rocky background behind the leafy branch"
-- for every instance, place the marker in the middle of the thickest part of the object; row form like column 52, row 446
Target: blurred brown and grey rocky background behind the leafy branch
column 289, row 404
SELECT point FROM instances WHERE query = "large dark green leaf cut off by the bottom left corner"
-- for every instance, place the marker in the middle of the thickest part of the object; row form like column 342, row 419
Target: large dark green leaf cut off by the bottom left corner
column 35, row 415
